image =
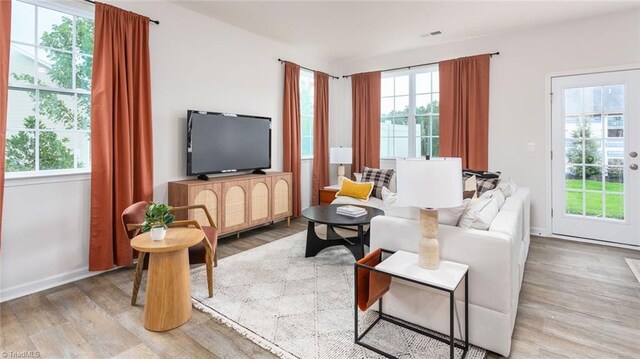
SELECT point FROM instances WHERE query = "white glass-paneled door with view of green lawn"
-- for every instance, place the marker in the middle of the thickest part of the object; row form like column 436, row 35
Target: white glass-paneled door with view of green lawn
column 594, row 135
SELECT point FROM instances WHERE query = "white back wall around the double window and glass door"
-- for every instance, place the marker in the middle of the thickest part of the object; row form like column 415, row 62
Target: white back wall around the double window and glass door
column 518, row 97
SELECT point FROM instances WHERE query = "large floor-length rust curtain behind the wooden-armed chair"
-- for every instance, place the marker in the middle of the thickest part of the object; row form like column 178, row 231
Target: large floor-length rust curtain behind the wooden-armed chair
column 121, row 137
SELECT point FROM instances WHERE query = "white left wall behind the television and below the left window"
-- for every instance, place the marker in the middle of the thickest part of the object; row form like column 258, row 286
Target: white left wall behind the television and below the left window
column 196, row 63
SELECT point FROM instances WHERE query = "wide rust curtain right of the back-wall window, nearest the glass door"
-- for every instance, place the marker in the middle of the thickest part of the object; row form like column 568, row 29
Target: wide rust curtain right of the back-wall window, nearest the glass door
column 464, row 110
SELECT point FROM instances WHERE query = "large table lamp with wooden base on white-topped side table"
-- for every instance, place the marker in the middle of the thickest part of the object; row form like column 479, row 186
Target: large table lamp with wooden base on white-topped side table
column 429, row 184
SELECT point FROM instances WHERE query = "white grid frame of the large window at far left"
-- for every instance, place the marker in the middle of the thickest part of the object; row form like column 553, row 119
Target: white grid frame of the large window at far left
column 58, row 175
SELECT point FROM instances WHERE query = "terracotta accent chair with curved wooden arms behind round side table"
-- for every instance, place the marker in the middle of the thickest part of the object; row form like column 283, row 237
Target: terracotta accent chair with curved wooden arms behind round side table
column 204, row 252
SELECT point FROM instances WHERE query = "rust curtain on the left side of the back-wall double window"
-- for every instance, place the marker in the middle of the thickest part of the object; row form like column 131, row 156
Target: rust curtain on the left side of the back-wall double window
column 365, row 93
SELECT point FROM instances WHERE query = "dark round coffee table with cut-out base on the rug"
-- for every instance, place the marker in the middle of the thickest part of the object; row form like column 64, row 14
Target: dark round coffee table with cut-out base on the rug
column 326, row 214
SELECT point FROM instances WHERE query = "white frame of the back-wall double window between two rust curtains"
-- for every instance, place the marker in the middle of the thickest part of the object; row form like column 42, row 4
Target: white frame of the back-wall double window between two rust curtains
column 413, row 150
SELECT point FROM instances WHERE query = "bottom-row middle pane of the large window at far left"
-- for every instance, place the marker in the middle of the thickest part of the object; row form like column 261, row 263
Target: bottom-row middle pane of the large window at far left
column 56, row 150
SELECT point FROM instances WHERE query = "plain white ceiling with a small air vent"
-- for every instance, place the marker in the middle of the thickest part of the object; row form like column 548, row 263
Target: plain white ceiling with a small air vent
column 345, row 30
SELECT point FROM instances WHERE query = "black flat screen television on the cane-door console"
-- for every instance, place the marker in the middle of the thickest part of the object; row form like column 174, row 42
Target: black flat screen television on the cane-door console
column 227, row 143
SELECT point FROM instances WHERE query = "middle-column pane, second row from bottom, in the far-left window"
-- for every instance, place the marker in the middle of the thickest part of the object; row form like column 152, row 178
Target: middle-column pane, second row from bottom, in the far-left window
column 56, row 110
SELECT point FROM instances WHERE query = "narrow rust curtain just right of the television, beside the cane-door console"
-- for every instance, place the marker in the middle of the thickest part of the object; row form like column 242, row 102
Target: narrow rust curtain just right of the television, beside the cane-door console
column 291, row 130
